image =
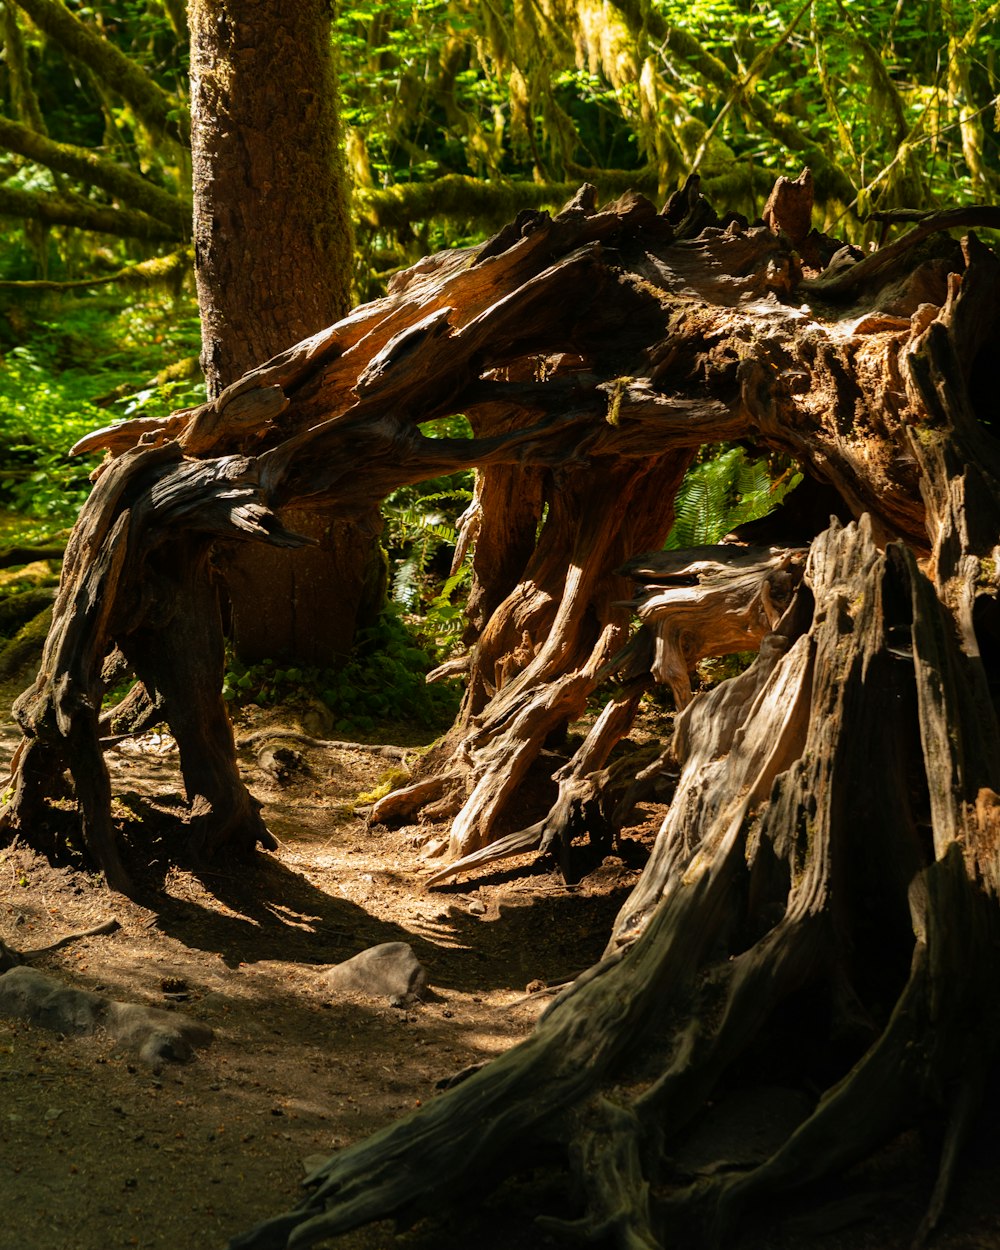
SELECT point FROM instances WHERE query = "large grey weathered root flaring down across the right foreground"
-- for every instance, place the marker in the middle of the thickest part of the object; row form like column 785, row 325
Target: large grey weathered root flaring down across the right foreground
column 759, row 888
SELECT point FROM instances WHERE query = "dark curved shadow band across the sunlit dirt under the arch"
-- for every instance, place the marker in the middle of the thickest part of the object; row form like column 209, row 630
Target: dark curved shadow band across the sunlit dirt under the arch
column 534, row 928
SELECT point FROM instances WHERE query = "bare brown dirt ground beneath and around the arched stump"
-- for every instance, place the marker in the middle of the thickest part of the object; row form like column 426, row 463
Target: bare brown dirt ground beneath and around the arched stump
column 98, row 1151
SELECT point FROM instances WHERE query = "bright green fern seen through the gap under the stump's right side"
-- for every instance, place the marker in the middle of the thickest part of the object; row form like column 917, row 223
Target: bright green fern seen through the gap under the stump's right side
column 727, row 489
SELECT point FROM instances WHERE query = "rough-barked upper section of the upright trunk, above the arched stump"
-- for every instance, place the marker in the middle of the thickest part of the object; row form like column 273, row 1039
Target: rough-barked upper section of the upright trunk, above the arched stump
column 273, row 238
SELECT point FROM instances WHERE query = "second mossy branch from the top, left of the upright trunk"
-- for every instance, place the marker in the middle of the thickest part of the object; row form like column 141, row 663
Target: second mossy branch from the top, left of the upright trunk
column 88, row 167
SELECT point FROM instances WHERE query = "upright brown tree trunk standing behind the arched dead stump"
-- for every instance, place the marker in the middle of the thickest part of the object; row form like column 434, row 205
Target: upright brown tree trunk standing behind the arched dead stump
column 273, row 262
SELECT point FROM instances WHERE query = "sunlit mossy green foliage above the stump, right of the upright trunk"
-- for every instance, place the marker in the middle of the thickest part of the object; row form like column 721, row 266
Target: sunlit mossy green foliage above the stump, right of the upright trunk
column 892, row 106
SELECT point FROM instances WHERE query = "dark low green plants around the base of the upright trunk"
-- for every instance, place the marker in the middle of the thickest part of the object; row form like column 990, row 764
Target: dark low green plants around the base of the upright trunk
column 382, row 681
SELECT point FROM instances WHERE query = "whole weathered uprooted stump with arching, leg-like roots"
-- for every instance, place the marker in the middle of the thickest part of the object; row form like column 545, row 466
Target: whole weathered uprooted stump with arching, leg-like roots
column 832, row 843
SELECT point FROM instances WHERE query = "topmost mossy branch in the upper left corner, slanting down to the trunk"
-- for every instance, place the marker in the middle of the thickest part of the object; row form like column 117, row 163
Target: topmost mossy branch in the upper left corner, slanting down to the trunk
column 154, row 107
